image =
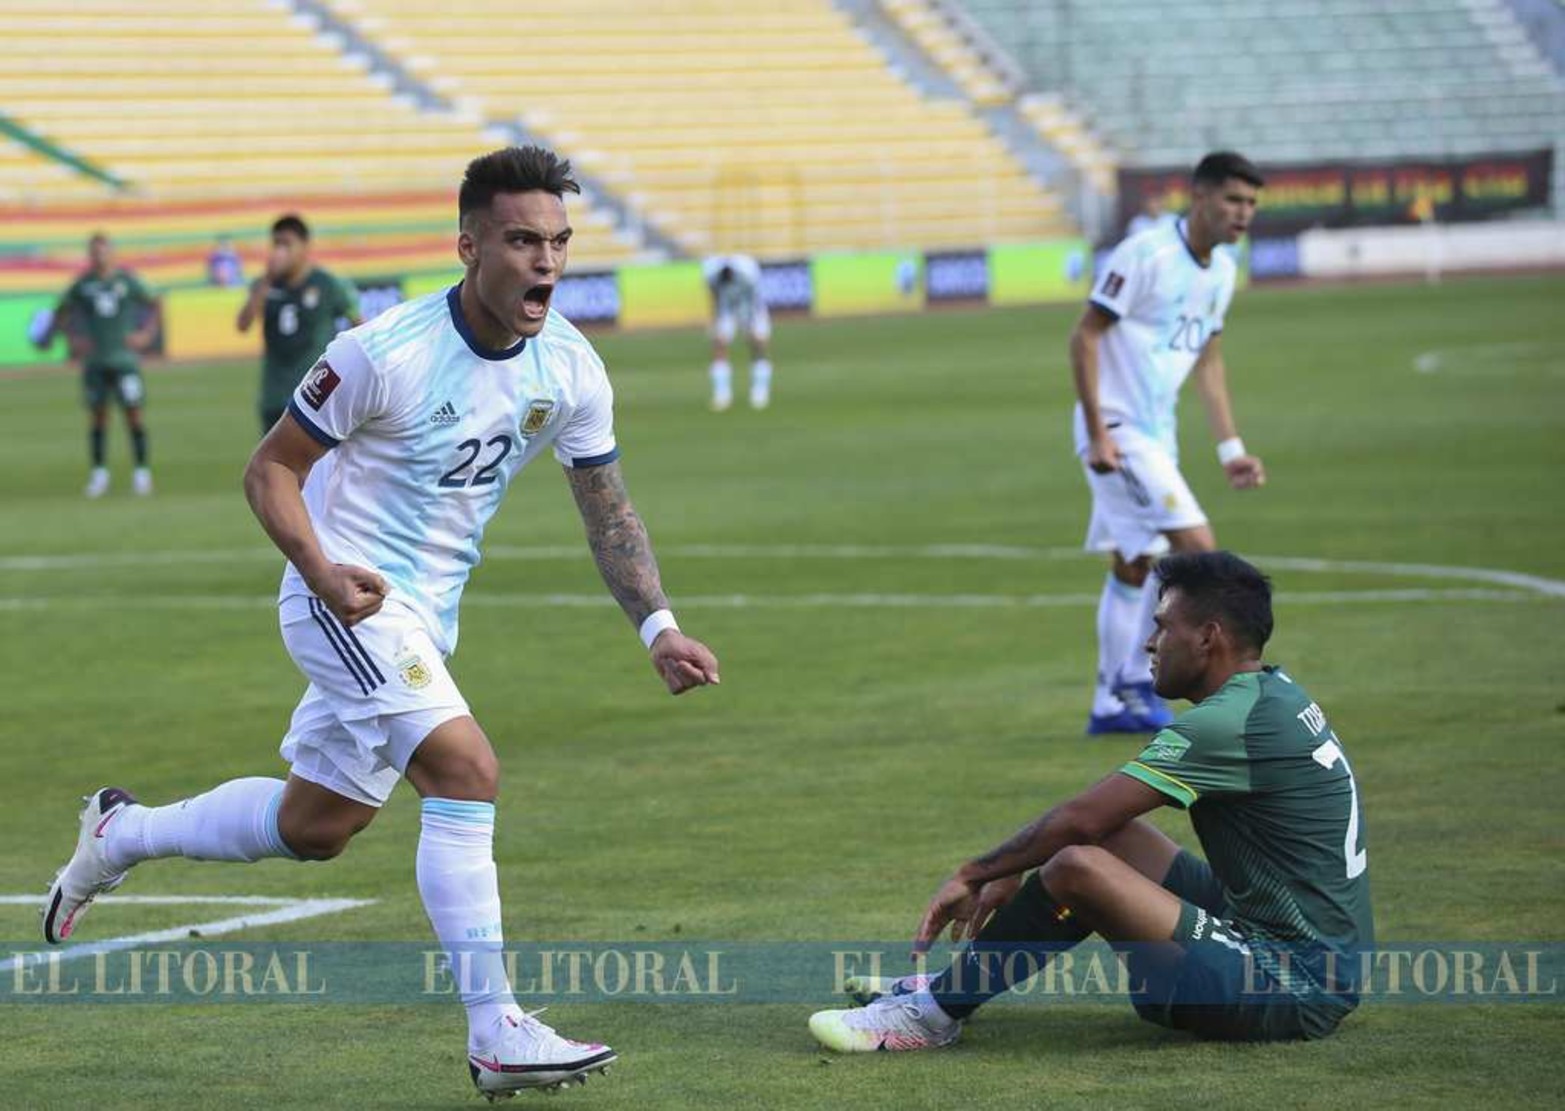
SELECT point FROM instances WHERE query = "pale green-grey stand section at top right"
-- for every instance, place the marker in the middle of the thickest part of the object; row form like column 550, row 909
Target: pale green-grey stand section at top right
column 1295, row 81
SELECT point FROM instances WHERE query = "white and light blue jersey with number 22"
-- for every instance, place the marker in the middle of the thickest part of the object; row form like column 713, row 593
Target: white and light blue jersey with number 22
column 428, row 430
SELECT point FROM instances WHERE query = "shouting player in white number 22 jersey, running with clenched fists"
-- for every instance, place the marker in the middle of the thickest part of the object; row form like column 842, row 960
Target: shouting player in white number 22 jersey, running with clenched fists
column 398, row 450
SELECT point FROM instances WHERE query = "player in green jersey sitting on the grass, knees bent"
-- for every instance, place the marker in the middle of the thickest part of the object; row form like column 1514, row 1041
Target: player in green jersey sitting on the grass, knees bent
column 1259, row 941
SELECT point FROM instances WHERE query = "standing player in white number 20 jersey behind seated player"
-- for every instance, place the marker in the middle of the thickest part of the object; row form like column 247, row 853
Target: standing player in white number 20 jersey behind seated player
column 1156, row 318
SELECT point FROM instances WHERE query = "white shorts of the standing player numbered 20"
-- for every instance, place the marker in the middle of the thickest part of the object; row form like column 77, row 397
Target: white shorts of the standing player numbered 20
column 1139, row 503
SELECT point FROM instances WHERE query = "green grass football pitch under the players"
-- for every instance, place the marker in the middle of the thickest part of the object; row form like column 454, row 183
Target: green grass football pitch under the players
column 855, row 753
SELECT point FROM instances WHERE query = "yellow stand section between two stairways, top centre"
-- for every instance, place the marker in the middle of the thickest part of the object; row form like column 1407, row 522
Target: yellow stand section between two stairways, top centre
column 729, row 128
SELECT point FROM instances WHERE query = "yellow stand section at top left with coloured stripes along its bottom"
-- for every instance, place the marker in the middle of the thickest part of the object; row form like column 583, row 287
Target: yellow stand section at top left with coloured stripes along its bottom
column 218, row 118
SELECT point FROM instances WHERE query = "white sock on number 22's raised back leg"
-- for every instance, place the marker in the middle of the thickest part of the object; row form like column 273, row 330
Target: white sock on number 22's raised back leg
column 236, row 821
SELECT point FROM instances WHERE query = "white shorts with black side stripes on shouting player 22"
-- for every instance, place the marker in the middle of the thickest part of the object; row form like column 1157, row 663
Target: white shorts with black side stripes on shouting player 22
column 376, row 691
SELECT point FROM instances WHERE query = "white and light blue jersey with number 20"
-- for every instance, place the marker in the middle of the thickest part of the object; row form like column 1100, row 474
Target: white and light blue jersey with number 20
column 1167, row 307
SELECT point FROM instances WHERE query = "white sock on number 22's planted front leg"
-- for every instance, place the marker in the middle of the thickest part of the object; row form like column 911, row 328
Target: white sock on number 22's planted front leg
column 461, row 891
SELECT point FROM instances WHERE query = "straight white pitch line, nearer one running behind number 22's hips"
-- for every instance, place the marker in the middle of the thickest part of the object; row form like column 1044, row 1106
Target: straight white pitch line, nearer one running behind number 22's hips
column 489, row 600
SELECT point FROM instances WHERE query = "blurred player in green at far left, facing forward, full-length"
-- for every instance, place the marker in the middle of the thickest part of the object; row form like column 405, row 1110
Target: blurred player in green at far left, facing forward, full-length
column 109, row 317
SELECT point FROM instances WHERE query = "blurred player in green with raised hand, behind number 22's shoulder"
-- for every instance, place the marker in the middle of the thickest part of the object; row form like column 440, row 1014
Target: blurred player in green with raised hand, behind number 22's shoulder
column 300, row 304
